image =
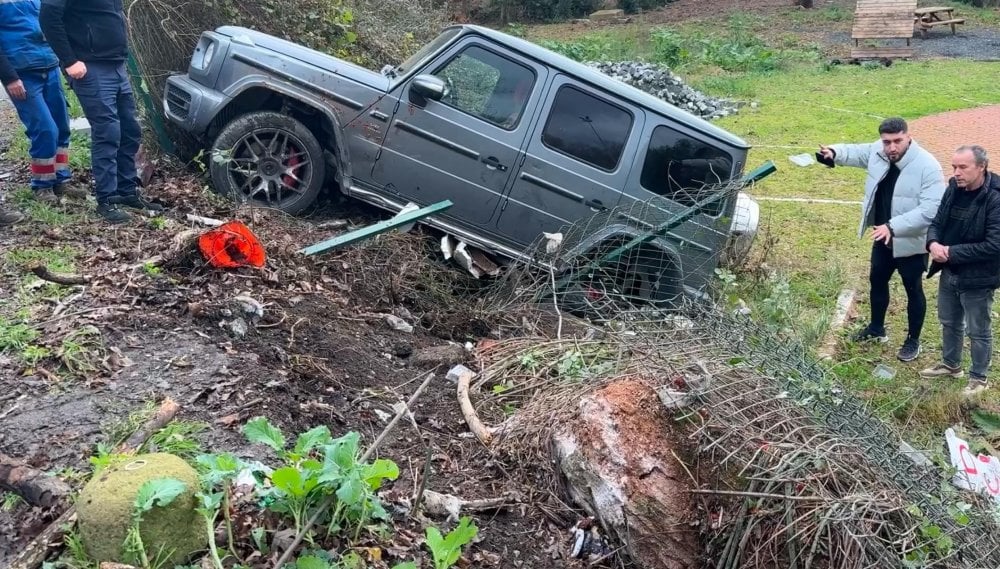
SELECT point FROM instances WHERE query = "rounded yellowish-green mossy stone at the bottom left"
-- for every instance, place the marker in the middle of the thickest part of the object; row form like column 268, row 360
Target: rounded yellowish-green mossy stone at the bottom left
column 106, row 503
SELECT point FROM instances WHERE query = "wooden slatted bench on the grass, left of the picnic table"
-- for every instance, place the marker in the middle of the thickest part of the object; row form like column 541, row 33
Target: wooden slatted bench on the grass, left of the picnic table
column 883, row 20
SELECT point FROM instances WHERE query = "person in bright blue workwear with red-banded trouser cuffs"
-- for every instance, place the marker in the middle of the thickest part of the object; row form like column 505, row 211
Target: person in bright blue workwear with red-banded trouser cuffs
column 29, row 72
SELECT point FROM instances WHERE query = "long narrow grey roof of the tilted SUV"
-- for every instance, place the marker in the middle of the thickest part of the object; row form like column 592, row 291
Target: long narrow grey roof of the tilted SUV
column 602, row 81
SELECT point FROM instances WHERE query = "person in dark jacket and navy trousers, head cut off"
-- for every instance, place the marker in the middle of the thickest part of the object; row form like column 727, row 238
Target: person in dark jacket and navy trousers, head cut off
column 90, row 39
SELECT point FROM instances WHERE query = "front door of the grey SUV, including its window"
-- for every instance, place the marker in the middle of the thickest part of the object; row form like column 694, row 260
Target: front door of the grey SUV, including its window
column 463, row 147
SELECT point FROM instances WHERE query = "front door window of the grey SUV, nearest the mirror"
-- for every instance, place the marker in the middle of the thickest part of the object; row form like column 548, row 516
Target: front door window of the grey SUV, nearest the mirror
column 487, row 86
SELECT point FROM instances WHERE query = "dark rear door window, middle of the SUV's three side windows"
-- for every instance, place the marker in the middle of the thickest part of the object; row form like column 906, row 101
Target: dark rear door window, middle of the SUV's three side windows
column 589, row 129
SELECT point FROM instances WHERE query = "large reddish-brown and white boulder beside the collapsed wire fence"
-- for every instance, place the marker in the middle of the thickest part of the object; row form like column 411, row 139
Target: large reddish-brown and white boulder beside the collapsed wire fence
column 616, row 457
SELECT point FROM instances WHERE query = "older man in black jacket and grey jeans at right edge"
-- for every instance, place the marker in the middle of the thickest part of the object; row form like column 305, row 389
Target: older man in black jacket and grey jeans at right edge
column 964, row 244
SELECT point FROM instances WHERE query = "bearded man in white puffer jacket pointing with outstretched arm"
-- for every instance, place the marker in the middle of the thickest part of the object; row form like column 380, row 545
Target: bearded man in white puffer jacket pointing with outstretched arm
column 902, row 192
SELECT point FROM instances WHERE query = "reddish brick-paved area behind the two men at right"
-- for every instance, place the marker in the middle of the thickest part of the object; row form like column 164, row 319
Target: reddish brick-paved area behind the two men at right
column 943, row 133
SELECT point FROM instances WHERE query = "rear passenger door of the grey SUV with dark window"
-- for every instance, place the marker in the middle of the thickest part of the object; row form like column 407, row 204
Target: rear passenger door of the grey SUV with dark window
column 576, row 162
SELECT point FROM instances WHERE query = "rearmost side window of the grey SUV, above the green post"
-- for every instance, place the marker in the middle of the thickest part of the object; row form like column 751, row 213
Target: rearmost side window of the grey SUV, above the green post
column 683, row 168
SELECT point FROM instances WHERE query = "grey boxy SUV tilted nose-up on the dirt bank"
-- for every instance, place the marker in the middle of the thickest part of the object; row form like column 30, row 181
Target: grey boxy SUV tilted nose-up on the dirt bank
column 520, row 139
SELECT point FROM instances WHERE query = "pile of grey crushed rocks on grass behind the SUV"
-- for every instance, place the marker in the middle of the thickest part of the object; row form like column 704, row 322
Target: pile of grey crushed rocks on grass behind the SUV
column 660, row 82
